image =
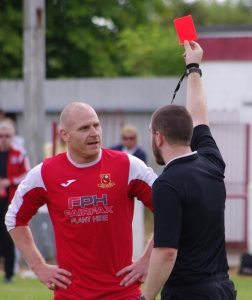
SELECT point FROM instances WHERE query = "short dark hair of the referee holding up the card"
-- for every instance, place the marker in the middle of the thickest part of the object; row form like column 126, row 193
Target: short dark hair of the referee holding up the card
column 174, row 123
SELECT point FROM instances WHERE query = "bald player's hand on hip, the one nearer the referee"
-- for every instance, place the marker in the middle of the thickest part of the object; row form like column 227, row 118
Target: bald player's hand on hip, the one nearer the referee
column 135, row 272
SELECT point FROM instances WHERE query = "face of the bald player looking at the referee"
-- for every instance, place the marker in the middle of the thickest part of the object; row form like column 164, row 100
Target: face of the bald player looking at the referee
column 84, row 136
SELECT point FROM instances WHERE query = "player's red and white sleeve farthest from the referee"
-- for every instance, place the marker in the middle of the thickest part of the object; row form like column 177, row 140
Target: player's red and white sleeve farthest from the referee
column 30, row 195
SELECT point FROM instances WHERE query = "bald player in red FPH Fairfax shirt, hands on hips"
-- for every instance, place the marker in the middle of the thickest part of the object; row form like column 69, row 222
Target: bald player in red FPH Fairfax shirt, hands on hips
column 89, row 192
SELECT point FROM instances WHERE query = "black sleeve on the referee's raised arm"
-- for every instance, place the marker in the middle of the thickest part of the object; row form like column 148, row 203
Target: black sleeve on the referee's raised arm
column 204, row 143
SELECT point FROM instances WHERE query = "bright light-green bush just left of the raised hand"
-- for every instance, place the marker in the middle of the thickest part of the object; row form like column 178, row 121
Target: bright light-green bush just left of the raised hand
column 150, row 49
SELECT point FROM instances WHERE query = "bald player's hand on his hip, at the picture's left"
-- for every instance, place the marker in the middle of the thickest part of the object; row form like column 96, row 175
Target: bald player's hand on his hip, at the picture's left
column 52, row 276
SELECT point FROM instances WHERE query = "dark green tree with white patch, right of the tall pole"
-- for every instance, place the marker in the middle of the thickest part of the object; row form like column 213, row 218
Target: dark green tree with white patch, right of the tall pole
column 79, row 44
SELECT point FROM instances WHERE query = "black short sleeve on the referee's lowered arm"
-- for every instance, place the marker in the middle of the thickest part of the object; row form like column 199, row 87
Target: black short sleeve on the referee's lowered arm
column 167, row 215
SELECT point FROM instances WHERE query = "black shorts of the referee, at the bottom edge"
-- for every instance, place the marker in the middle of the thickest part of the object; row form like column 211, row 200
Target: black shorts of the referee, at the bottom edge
column 217, row 288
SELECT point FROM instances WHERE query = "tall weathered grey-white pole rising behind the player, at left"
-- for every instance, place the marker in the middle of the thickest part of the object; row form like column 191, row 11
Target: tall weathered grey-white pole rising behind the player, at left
column 34, row 75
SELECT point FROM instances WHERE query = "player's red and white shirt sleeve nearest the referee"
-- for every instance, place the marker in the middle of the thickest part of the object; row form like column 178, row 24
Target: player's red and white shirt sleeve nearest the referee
column 140, row 181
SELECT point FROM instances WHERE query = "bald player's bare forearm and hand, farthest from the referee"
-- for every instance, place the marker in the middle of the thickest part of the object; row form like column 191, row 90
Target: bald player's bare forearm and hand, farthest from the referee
column 49, row 275
